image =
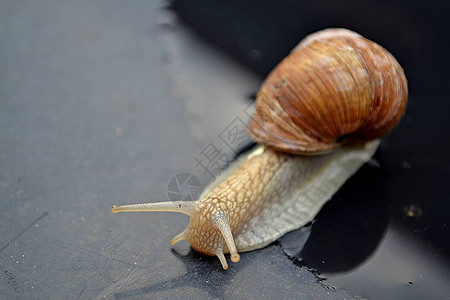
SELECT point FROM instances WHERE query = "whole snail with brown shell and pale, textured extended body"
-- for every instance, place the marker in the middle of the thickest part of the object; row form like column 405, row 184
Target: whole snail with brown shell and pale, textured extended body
column 319, row 116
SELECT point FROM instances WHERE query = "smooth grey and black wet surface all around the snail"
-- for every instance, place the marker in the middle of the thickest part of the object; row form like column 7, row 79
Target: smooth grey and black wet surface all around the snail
column 96, row 108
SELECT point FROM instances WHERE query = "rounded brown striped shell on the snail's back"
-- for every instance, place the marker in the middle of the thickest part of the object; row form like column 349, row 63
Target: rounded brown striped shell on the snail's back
column 334, row 86
